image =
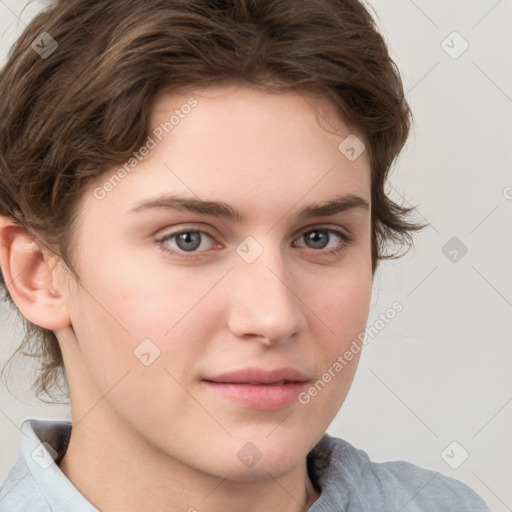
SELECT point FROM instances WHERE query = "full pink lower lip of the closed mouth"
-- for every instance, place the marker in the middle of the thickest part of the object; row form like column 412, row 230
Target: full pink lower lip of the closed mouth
column 259, row 396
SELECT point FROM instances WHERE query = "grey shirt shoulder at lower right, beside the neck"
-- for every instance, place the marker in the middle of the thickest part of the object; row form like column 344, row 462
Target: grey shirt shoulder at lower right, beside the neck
column 393, row 485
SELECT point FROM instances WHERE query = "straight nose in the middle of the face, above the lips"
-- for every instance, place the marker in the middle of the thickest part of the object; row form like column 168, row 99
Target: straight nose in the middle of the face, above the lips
column 265, row 301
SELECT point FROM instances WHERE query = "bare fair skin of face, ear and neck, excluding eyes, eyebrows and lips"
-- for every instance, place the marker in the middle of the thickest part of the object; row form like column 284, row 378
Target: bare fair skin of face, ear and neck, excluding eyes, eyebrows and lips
column 152, row 437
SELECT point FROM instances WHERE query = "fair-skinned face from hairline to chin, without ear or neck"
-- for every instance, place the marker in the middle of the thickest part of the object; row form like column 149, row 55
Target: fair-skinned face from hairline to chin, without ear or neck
column 174, row 296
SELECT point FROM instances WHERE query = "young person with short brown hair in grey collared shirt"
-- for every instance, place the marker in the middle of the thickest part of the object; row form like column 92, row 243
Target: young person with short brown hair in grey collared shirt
column 192, row 211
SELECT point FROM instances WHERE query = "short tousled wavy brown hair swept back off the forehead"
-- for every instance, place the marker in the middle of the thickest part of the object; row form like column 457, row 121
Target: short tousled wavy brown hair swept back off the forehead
column 70, row 116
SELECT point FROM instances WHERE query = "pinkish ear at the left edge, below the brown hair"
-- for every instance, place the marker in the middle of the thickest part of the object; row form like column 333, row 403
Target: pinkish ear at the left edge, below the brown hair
column 30, row 279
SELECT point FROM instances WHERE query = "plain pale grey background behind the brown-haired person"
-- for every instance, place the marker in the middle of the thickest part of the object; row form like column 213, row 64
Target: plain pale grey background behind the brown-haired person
column 434, row 386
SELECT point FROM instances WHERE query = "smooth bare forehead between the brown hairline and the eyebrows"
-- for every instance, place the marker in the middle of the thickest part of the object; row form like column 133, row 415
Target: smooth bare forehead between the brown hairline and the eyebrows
column 250, row 149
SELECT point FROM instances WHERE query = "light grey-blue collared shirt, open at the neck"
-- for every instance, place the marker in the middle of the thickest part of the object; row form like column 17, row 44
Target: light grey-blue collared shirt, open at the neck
column 346, row 478
